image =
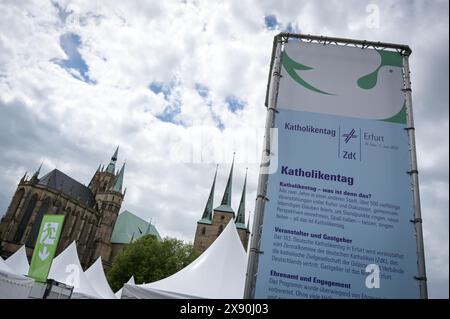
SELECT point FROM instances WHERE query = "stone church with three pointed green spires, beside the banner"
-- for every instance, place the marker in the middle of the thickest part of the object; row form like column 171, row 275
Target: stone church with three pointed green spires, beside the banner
column 213, row 221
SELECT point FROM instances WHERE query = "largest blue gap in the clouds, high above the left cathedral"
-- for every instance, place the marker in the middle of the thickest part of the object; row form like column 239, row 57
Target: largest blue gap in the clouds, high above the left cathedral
column 70, row 43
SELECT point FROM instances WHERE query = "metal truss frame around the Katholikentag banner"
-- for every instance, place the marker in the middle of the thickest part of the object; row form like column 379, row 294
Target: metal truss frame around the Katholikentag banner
column 271, row 105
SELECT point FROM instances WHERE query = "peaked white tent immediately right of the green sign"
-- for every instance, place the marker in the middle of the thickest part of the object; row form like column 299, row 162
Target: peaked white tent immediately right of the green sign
column 66, row 268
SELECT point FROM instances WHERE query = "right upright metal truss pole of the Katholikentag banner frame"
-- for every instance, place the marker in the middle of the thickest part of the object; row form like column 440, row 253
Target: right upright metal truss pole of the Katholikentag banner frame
column 415, row 183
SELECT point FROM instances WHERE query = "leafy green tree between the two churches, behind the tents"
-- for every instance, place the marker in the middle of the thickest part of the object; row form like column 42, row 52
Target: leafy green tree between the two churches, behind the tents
column 148, row 260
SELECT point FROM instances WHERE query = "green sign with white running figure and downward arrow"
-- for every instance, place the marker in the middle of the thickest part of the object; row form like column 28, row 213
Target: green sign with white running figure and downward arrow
column 45, row 248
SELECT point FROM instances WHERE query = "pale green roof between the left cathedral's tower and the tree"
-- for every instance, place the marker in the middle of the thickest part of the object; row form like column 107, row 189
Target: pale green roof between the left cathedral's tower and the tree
column 130, row 227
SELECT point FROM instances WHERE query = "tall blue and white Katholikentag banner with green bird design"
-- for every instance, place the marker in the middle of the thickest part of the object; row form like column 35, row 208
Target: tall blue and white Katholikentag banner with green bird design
column 337, row 220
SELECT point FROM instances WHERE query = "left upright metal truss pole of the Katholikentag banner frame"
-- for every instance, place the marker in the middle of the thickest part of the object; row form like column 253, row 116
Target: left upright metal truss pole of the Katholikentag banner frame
column 271, row 97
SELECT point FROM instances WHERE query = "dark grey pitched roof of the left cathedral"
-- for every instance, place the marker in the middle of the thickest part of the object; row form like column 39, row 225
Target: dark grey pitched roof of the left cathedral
column 60, row 181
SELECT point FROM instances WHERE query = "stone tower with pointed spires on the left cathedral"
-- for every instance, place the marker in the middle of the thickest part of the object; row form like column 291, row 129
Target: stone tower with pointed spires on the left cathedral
column 106, row 185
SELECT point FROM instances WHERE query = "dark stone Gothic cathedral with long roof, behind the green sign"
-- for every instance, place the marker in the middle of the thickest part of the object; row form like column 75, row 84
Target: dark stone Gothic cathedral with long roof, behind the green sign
column 90, row 212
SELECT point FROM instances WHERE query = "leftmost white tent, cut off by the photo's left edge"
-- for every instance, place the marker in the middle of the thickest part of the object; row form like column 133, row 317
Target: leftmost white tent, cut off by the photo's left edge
column 12, row 284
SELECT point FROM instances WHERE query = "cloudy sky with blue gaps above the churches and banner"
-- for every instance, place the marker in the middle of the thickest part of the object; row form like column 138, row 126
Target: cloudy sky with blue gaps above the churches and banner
column 180, row 85
